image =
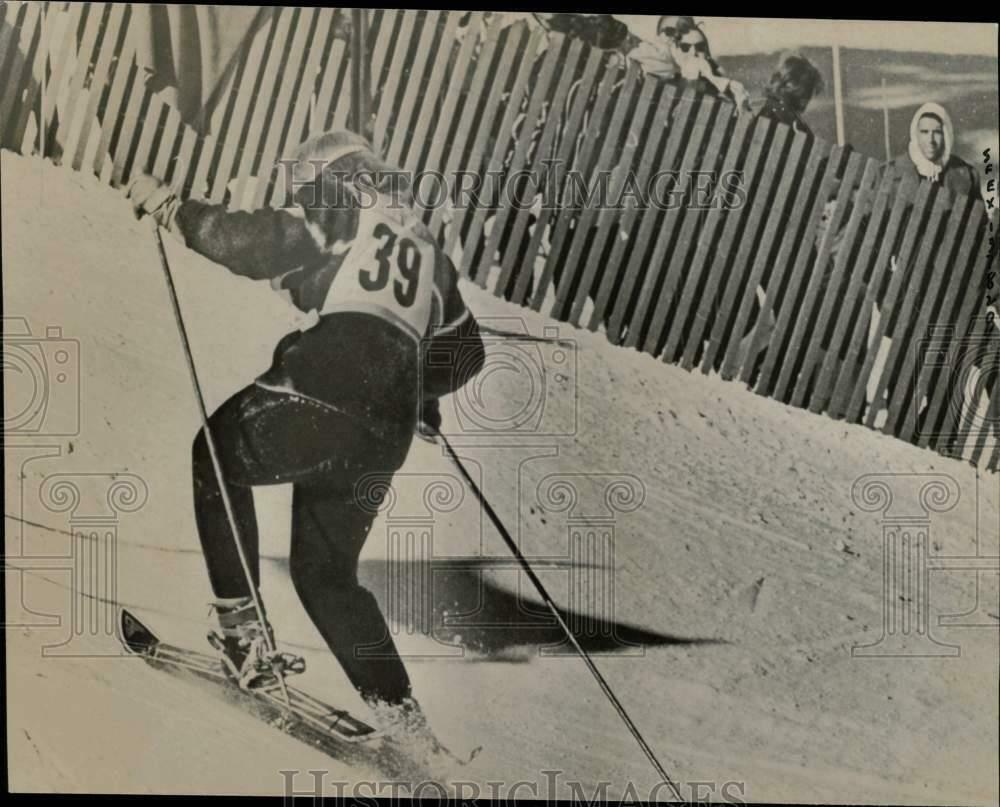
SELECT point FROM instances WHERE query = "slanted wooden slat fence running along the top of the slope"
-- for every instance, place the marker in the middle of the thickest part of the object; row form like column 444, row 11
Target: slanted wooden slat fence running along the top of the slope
column 810, row 274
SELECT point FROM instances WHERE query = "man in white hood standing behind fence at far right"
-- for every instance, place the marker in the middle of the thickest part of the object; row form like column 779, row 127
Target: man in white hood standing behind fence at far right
column 930, row 153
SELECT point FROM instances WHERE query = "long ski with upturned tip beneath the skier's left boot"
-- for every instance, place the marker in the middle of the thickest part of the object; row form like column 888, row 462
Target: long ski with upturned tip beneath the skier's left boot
column 305, row 717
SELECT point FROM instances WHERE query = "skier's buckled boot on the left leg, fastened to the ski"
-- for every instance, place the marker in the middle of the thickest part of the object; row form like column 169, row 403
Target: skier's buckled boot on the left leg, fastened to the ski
column 243, row 647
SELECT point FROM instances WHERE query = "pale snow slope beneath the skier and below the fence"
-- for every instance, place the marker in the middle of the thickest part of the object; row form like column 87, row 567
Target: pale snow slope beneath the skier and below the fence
column 742, row 563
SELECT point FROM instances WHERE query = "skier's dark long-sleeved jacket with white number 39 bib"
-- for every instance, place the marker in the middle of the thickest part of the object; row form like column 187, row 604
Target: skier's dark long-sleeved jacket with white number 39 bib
column 391, row 328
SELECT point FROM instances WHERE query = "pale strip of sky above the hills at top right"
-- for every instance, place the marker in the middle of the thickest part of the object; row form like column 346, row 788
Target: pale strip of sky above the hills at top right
column 735, row 35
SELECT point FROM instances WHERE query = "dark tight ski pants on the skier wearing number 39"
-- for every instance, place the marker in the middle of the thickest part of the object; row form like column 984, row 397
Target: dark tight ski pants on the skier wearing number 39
column 265, row 438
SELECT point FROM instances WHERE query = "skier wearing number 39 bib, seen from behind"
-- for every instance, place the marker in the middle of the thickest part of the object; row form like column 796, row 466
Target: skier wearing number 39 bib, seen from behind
column 341, row 399
